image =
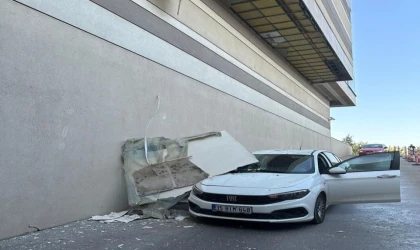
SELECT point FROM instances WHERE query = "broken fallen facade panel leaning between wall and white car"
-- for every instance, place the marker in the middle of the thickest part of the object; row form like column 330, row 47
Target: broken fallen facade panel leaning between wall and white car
column 177, row 164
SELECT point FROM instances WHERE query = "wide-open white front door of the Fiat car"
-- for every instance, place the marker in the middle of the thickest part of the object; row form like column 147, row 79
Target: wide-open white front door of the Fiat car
column 368, row 179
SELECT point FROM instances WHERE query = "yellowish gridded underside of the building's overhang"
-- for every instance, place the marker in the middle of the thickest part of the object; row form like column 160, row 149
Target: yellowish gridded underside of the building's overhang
column 290, row 29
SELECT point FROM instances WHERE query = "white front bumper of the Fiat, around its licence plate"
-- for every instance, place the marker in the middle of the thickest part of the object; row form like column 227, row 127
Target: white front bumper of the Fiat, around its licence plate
column 300, row 210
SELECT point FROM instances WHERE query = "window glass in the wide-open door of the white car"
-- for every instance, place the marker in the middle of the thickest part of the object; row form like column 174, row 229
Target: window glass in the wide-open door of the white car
column 367, row 163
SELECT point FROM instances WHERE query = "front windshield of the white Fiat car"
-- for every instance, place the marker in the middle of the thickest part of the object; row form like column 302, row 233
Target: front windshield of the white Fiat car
column 285, row 164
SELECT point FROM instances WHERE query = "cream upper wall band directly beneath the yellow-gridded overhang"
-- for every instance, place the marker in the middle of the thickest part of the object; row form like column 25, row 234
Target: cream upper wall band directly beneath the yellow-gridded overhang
column 207, row 24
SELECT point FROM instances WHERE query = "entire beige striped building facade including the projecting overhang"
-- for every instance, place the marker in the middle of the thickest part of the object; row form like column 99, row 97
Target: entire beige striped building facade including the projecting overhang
column 80, row 77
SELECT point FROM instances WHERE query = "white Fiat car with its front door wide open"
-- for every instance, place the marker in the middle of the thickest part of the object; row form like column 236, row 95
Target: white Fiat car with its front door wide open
column 296, row 186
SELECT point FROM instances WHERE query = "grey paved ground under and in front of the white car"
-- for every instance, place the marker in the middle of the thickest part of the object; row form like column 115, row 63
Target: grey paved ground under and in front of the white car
column 364, row 226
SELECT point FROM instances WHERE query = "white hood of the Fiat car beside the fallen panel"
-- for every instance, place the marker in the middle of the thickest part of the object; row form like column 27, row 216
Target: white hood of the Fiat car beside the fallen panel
column 257, row 180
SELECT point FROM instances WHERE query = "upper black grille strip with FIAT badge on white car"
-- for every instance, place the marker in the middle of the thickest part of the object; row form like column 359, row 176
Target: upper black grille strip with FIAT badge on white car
column 239, row 199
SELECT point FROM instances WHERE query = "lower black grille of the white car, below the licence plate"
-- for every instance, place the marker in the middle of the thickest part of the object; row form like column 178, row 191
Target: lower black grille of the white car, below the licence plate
column 291, row 213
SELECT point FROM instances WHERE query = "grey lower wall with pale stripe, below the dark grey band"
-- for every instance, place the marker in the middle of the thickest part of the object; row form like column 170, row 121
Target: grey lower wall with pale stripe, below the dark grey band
column 72, row 94
